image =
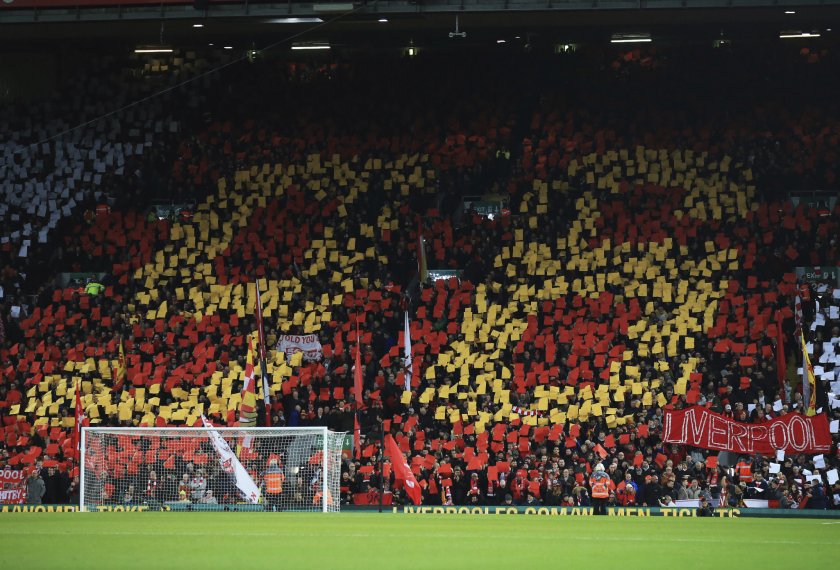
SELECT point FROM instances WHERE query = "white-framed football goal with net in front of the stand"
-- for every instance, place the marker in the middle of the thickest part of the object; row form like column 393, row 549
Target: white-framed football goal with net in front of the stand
column 208, row 468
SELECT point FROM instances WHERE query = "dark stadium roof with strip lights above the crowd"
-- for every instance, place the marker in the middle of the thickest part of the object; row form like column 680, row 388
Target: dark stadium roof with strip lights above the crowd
column 360, row 24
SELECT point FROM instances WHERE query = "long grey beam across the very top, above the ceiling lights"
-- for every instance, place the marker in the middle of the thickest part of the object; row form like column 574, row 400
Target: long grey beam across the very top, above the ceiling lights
column 60, row 11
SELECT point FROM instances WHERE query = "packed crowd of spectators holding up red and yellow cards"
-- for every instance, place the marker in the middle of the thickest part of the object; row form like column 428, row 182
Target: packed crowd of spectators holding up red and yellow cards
column 647, row 244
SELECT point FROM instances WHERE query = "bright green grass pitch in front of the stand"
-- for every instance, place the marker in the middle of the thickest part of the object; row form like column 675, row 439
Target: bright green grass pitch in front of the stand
column 391, row 541
